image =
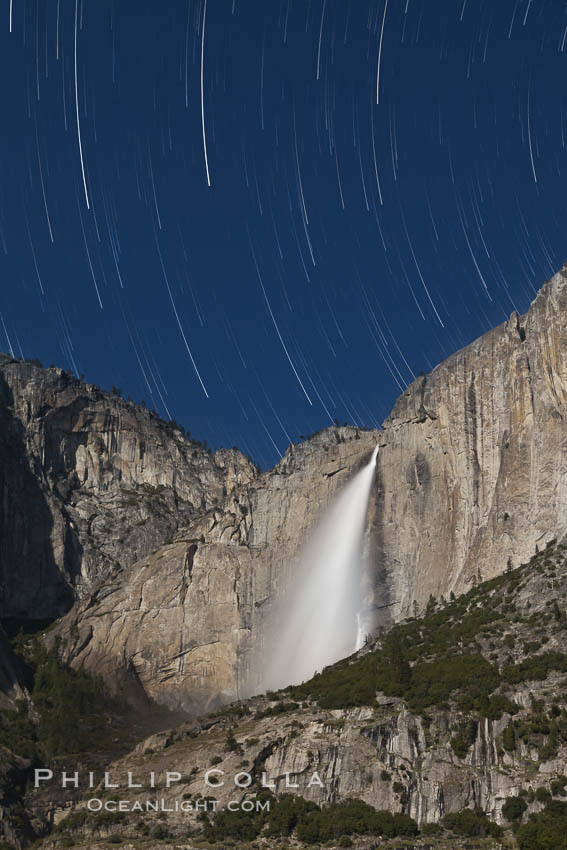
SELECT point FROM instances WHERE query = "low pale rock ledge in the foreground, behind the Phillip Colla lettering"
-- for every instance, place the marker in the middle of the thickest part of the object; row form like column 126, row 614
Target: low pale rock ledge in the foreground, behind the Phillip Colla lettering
column 383, row 756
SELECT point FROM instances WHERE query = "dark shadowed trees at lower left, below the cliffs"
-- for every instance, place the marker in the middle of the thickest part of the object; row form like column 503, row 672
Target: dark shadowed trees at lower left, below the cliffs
column 71, row 722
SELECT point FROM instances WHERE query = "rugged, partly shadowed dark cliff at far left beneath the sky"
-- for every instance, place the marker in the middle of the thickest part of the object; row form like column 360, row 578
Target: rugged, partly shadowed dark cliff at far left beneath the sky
column 89, row 482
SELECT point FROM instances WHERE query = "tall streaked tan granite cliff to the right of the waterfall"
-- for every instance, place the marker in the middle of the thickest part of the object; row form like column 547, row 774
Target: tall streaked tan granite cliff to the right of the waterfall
column 474, row 465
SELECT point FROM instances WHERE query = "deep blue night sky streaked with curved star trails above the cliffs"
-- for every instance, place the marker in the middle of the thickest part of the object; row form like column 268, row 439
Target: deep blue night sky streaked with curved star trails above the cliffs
column 262, row 215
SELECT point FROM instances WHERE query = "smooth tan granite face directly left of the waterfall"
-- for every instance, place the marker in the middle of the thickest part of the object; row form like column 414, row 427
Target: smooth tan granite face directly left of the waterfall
column 188, row 620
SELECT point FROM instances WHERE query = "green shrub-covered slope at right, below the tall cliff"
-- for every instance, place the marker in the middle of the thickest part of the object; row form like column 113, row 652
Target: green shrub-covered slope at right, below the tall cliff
column 446, row 656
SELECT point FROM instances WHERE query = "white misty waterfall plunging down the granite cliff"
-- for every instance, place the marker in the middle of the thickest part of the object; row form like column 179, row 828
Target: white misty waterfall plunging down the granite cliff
column 320, row 618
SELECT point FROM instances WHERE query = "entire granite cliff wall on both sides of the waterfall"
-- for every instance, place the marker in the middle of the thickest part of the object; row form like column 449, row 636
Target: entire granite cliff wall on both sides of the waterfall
column 174, row 557
